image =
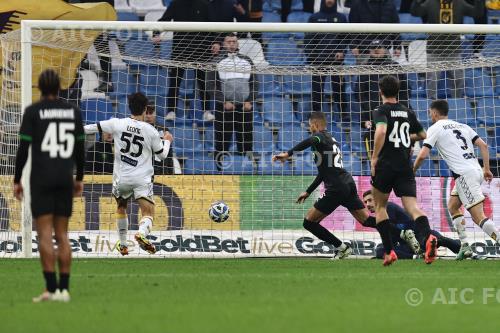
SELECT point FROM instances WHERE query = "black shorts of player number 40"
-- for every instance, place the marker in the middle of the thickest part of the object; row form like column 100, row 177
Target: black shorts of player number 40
column 401, row 181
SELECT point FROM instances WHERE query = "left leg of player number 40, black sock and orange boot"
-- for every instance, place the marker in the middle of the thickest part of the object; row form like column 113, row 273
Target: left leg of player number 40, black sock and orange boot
column 383, row 225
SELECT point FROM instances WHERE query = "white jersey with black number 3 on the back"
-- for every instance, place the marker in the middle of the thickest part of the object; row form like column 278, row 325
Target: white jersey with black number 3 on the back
column 455, row 143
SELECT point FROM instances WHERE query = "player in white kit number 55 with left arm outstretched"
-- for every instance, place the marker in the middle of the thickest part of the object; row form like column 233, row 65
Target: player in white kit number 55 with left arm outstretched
column 135, row 144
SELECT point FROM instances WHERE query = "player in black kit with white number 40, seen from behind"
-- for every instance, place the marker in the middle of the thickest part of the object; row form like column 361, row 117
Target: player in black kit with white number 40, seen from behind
column 396, row 128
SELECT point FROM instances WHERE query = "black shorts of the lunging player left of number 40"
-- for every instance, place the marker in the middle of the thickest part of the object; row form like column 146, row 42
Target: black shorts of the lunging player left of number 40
column 348, row 199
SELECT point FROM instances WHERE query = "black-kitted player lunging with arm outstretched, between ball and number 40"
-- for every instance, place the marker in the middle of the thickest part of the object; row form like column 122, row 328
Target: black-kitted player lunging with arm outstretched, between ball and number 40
column 340, row 189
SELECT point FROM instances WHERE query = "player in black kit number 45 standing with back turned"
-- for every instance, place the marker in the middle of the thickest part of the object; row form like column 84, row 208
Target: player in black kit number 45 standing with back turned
column 54, row 130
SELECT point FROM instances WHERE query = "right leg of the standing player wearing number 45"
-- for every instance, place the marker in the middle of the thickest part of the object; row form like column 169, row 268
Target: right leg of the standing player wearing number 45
column 63, row 256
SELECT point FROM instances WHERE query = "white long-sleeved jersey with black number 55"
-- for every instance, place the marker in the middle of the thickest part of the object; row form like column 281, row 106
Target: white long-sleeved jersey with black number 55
column 136, row 142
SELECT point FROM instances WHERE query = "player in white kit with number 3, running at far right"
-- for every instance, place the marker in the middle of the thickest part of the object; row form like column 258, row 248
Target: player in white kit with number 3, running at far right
column 454, row 142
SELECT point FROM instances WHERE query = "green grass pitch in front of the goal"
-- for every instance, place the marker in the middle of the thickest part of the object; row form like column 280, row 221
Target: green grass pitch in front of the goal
column 254, row 295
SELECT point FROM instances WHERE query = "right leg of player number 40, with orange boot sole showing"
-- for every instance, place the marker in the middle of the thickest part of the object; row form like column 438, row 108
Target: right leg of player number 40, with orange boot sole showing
column 422, row 227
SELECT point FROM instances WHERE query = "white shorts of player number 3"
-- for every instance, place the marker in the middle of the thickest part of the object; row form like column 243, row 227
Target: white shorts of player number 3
column 468, row 188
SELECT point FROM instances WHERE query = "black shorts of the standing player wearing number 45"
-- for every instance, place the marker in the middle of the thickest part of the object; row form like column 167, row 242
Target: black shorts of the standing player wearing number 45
column 56, row 200
